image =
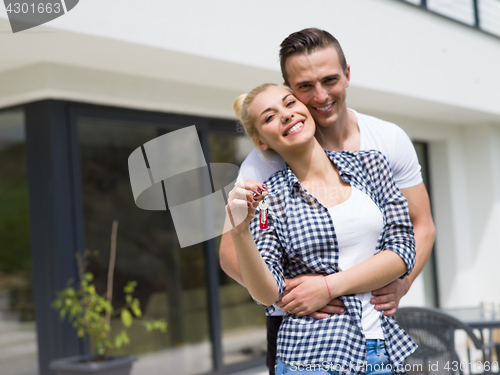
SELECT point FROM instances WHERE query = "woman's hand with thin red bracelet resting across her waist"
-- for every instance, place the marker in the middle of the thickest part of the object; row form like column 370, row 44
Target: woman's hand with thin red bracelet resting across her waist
column 304, row 295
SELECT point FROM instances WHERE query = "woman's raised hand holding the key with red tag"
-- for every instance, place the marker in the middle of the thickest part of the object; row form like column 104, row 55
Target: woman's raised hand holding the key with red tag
column 242, row 203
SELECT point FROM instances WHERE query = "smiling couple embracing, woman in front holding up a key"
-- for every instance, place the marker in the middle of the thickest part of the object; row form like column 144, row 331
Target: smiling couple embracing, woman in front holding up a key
column 330, row 216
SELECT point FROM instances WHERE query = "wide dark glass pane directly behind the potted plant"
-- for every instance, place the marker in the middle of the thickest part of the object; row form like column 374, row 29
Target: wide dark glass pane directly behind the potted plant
column 171, row 280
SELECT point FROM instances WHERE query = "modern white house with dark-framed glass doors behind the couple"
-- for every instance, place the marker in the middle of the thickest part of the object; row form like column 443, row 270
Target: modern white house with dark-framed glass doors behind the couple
column 80, row 93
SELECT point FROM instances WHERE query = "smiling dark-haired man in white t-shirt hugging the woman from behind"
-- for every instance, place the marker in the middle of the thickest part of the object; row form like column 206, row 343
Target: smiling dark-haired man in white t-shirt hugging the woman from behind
column 314, row 67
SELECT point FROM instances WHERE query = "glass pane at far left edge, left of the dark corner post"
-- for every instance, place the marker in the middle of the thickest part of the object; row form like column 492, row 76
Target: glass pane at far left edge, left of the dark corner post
column 18, row 348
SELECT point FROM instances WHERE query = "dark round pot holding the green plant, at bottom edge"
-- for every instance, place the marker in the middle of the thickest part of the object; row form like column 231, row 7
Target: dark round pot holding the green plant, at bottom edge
column 86, row 365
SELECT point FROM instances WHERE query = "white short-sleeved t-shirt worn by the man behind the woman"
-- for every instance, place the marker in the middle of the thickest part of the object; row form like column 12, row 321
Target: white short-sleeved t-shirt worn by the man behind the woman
column 375, row 134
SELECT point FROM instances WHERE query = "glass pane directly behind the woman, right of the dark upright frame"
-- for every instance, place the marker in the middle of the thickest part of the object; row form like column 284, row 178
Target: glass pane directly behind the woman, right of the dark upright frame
column 243, row 320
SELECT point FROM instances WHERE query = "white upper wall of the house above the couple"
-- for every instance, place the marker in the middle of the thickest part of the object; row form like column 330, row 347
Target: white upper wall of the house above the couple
column 392, row 46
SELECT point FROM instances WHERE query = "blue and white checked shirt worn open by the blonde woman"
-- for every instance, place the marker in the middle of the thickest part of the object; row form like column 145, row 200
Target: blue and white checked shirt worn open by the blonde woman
column 301, row 239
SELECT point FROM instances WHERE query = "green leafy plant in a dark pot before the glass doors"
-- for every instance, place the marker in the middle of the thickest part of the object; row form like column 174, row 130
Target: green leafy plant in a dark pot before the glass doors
column 91, row 313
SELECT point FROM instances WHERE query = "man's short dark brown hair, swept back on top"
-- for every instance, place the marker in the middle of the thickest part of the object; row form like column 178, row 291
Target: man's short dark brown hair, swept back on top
column 305, row 42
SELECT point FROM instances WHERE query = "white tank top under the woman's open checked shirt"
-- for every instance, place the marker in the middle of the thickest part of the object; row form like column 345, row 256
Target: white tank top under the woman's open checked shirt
column 358, row 223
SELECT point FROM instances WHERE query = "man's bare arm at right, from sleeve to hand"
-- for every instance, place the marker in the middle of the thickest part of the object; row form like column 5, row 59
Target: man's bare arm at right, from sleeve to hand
column 387, row 298
